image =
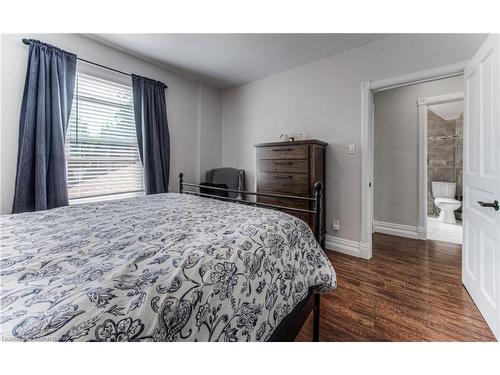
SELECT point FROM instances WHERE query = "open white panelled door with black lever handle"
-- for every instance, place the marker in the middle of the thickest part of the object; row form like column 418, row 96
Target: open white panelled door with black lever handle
column 481, row 223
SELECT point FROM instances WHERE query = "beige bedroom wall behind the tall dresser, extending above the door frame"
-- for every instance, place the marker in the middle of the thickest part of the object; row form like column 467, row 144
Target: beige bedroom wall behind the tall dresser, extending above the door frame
column 323, row 99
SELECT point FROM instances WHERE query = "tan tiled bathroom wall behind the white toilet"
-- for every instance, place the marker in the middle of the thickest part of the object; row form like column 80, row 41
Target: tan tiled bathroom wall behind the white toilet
column 444, row 154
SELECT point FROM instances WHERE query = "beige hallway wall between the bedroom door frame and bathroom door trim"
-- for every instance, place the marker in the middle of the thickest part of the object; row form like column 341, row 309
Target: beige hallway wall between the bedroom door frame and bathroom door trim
column 395, row 181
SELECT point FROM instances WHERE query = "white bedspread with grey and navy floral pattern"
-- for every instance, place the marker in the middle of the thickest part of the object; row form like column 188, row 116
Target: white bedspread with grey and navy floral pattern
column 166, row 267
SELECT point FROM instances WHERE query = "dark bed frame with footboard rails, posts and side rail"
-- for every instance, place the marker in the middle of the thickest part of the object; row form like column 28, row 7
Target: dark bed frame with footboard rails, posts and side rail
column 290, row 326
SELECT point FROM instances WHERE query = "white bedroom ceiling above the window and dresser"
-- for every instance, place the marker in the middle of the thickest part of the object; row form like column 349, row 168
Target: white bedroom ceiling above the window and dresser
column 226, row 60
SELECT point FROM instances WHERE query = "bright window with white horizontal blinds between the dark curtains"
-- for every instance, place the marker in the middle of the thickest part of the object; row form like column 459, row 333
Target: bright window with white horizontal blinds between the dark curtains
column 101, row 143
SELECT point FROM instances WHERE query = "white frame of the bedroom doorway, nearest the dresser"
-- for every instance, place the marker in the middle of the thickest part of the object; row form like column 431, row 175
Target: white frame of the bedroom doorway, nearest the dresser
column 368, row 88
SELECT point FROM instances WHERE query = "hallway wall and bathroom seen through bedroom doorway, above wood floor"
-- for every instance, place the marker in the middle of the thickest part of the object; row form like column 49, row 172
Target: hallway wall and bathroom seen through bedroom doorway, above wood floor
column 416, row 150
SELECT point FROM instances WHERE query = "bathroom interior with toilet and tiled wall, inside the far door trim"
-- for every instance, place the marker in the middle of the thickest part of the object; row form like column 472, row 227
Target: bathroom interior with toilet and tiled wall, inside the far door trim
column 445, row 171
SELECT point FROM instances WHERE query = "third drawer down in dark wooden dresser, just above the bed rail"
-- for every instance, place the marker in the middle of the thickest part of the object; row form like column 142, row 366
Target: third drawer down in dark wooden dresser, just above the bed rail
column 283, row 183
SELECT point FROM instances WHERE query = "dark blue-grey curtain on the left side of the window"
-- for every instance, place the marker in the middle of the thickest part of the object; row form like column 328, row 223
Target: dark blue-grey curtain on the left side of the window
column 41, row 181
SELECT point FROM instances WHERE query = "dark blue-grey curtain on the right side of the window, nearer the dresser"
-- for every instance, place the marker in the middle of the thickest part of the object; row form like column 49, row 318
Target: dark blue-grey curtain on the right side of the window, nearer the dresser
column 150, row 110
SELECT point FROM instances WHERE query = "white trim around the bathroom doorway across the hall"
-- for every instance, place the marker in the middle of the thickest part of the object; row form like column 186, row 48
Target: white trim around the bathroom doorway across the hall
column 422, row 104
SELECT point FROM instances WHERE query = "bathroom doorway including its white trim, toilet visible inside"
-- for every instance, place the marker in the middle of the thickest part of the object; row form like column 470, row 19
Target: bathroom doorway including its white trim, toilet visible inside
column 441, row 166
